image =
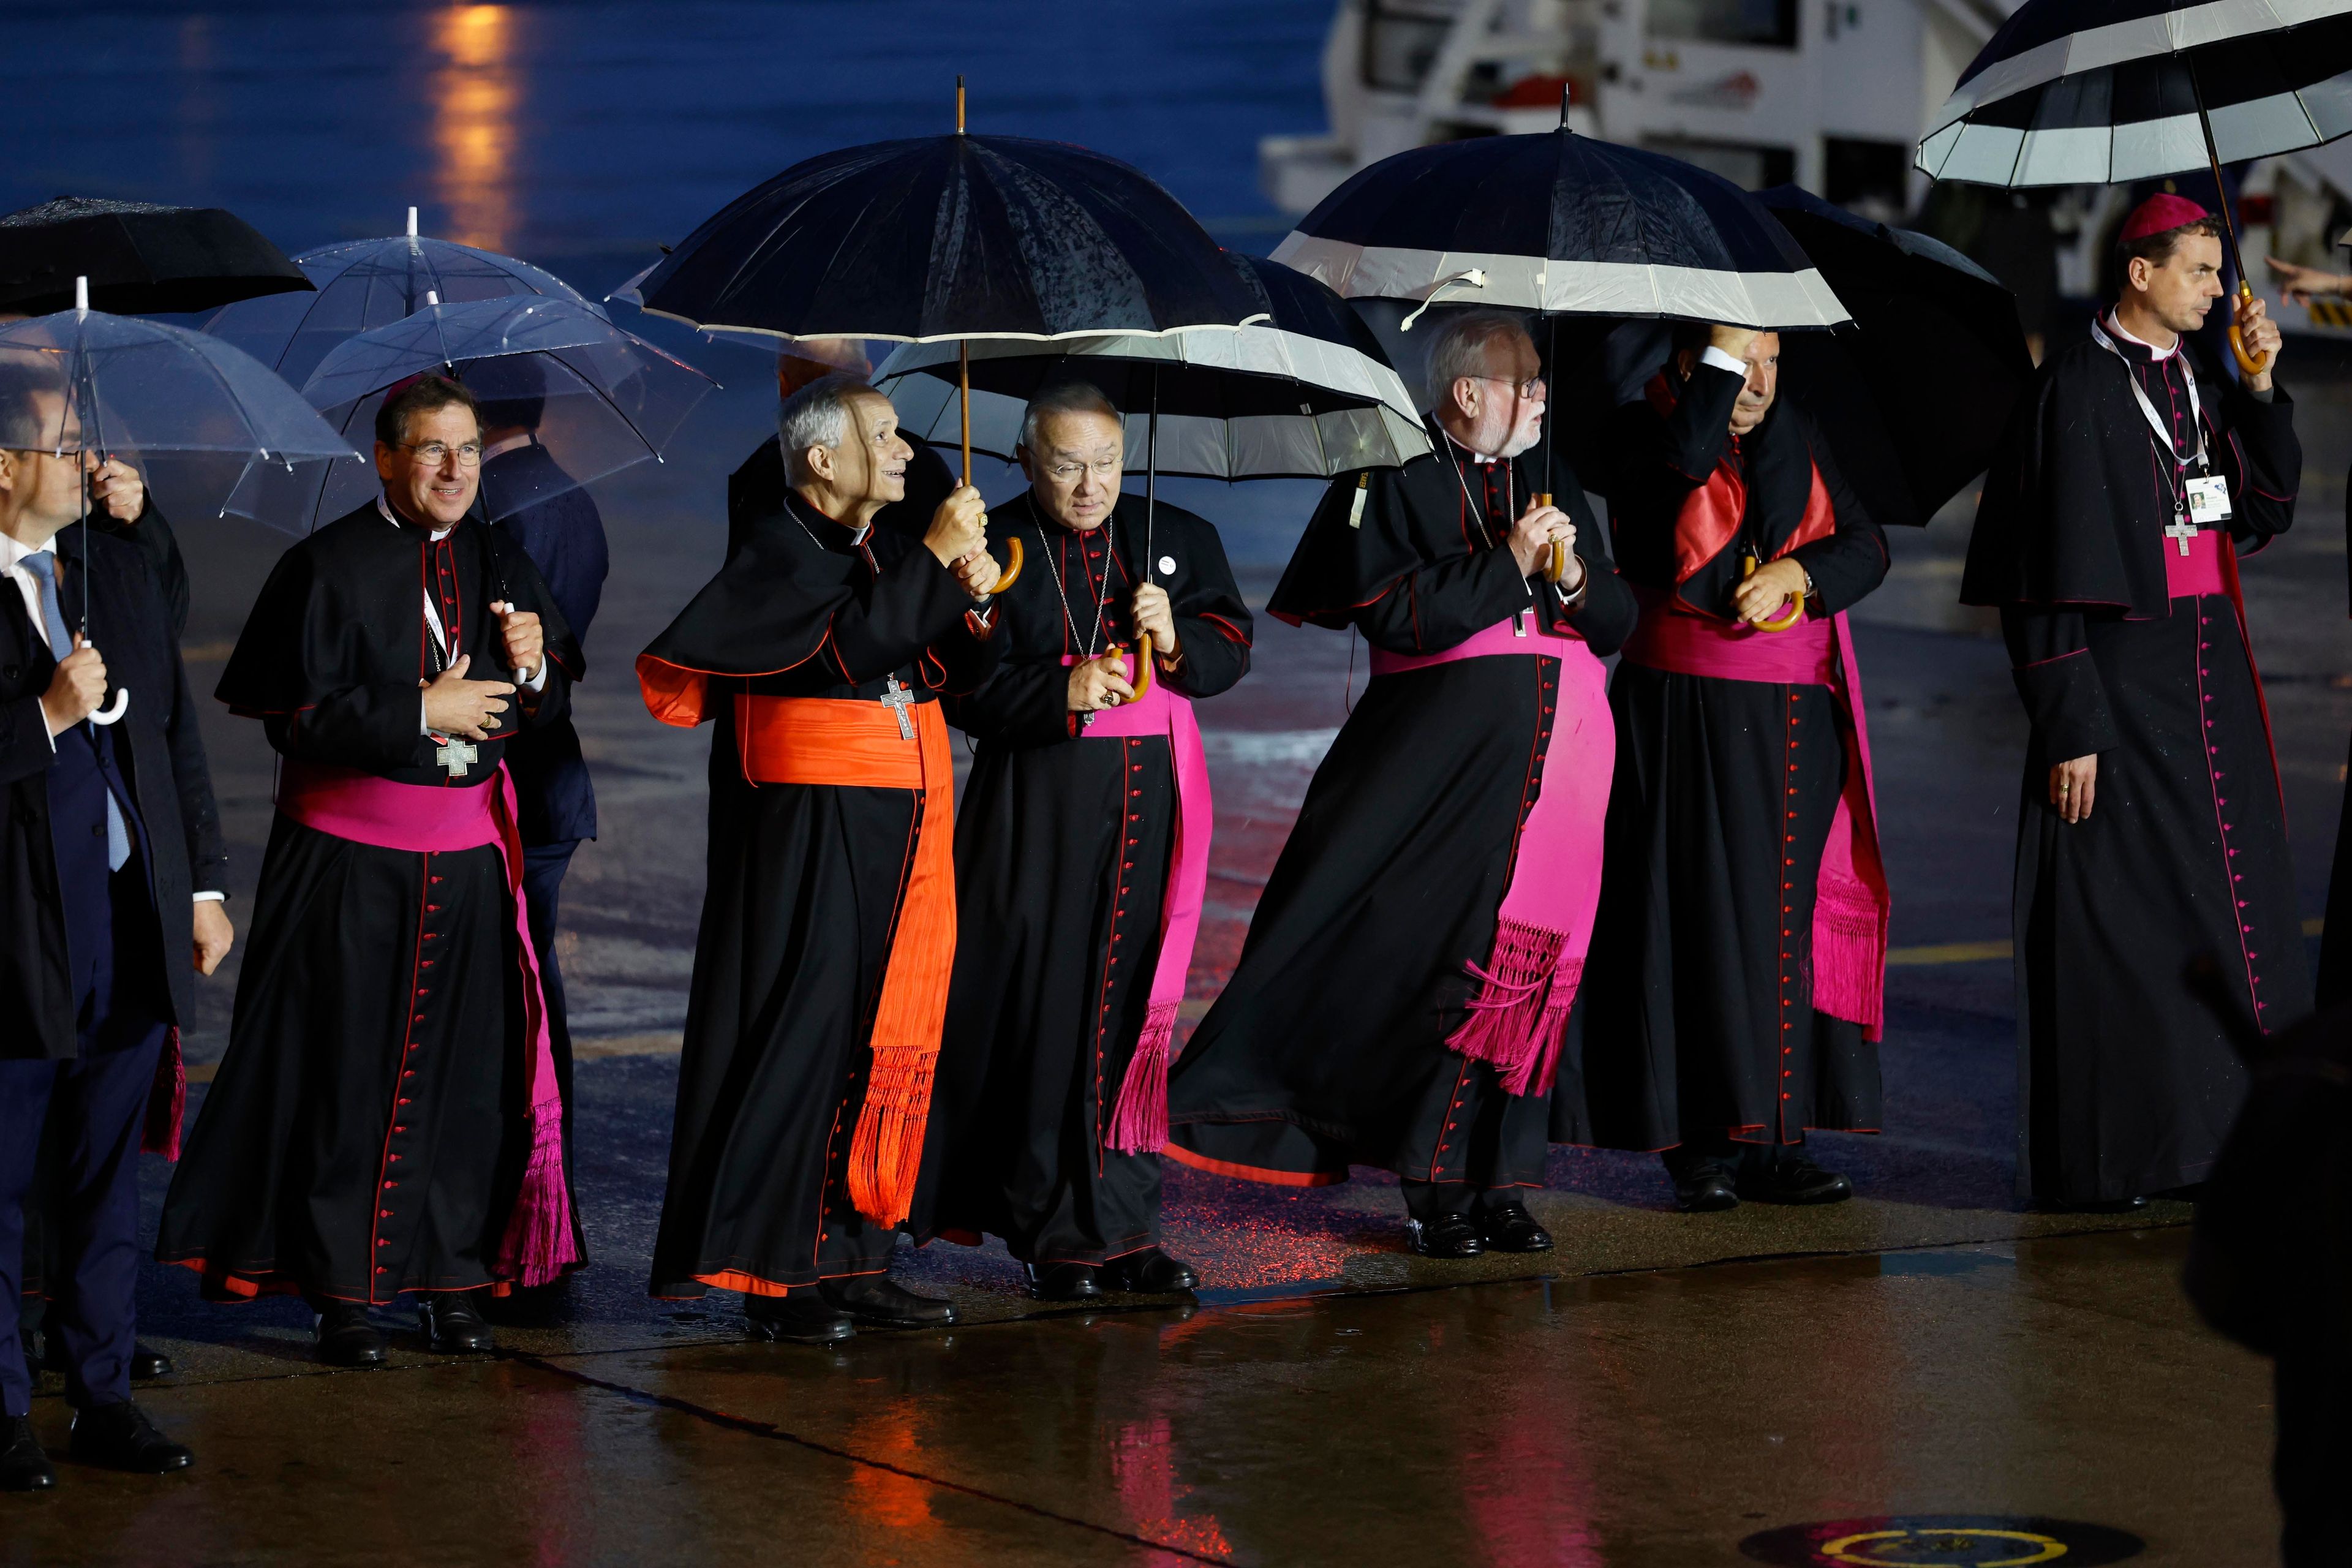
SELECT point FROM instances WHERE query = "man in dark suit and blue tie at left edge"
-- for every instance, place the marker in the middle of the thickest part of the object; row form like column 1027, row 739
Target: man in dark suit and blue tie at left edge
column 109, row 843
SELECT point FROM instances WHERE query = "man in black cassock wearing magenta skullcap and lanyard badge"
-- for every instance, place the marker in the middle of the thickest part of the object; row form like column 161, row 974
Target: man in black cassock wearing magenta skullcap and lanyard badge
column 2151, row 826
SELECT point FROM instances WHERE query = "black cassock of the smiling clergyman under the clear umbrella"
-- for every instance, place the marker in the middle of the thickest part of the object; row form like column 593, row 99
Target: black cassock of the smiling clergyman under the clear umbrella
column 370, row 1120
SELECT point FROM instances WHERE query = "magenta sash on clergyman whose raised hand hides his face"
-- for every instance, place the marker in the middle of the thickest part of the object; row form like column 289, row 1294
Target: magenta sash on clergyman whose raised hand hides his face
column 1850, row 892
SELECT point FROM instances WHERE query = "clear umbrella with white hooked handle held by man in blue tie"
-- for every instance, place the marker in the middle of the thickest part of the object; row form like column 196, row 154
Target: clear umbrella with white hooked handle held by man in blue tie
column 140, row 391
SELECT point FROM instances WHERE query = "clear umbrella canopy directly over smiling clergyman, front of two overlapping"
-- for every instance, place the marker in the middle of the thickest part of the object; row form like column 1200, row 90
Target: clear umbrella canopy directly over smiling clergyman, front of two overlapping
column 599, row 398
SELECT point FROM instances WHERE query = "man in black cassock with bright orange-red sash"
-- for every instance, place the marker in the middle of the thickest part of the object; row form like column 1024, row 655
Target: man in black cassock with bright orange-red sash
column 829, row 927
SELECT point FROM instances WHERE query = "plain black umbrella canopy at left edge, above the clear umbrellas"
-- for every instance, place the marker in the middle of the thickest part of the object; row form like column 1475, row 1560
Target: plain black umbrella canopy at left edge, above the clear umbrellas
column 140, row 257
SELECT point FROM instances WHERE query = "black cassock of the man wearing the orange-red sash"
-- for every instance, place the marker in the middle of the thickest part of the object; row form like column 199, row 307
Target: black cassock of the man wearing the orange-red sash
column 803, row 894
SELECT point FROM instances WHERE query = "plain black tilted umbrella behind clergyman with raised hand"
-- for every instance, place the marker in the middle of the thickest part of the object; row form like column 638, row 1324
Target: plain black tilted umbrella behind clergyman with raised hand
column 1918, row 391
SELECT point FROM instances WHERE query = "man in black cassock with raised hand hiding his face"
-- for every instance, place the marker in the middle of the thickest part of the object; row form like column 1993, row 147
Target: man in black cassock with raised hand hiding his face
column 1732, row 998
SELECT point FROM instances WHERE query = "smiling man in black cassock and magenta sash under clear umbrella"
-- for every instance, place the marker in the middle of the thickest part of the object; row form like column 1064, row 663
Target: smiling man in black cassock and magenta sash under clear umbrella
column 385, row 1120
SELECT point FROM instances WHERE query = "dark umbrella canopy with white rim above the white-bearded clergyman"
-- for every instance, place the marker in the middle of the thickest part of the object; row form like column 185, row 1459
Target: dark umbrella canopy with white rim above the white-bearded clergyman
column 1563, row 225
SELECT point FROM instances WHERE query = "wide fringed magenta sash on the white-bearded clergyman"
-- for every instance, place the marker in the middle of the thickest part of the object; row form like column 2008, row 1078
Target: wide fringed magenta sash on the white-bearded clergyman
column 1544, row 925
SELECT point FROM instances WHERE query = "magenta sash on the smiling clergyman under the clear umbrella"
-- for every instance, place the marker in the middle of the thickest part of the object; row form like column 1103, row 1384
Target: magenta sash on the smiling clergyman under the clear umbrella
column 439, row 819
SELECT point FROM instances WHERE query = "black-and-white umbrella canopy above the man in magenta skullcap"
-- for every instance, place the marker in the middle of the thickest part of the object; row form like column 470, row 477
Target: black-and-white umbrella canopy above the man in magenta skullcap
column 2111, row 91
